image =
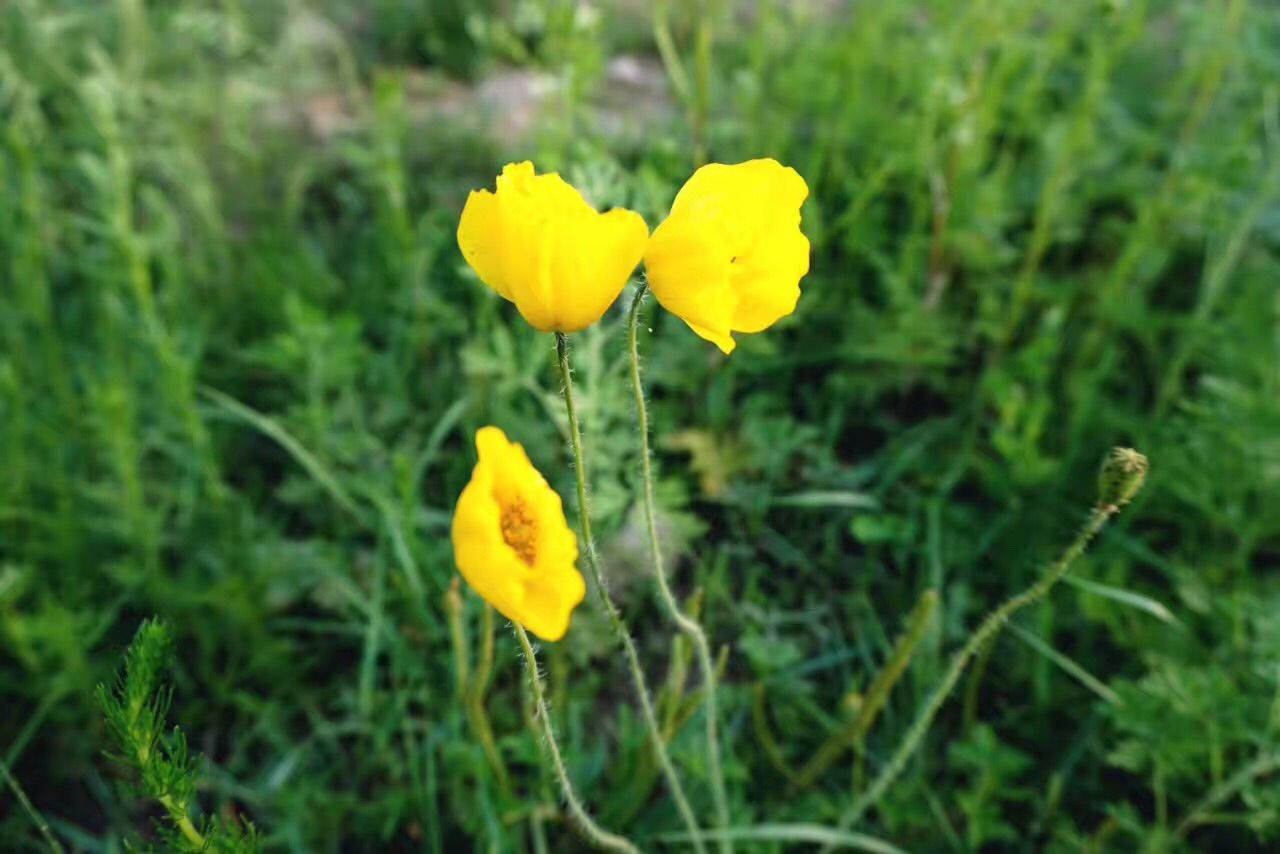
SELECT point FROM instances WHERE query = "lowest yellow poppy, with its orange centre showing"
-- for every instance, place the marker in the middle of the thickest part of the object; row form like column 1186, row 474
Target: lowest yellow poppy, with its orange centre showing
column 511, row 541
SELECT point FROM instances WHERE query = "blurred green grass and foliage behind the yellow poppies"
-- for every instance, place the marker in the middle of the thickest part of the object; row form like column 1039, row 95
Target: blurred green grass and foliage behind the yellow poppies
column 243, row 360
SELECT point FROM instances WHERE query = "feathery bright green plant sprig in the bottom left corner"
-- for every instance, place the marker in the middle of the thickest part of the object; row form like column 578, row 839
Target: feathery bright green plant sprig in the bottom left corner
column 136, row 709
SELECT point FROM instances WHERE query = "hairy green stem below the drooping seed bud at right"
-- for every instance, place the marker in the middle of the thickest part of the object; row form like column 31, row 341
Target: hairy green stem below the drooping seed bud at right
column 989, row 629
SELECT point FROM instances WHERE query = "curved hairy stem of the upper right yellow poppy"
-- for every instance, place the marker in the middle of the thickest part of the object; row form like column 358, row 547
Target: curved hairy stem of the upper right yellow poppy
column 683, row 620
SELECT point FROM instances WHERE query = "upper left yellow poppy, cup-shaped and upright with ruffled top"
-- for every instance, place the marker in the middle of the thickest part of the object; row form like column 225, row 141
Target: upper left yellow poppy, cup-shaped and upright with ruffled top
column 540, row 245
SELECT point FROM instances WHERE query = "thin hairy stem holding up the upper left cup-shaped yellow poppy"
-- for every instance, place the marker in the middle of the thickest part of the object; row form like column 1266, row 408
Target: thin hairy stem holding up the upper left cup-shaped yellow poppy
column 620, row 627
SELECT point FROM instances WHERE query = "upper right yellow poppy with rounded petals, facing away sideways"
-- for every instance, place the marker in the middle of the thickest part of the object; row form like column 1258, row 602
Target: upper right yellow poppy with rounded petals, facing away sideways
column 732, row 255
